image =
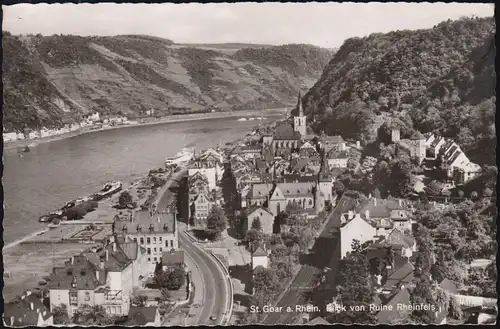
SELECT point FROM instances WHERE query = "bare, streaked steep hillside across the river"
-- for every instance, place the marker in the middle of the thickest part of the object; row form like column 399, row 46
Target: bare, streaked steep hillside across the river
column 53, row 80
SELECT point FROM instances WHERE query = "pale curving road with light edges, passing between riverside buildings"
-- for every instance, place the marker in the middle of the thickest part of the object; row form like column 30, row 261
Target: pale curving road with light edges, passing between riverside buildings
column 212, row 279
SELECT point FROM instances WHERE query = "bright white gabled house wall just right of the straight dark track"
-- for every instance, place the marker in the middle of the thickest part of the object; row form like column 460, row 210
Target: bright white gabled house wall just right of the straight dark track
column 354, row 227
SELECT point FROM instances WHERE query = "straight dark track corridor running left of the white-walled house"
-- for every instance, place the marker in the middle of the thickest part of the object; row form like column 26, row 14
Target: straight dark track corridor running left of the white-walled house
column 310, row 272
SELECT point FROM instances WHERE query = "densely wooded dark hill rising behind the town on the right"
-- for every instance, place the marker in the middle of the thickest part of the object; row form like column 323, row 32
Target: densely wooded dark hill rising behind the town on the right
column 438, row 80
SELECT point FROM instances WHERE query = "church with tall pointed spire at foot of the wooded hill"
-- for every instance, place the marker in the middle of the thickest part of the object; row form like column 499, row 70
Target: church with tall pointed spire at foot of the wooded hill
column 287, row 136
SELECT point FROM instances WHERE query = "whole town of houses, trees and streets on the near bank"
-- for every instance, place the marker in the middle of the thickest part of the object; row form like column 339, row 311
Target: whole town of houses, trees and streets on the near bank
column 286, row 218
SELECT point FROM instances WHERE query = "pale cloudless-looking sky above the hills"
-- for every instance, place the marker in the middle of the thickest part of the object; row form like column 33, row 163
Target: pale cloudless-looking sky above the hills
column 321, row 24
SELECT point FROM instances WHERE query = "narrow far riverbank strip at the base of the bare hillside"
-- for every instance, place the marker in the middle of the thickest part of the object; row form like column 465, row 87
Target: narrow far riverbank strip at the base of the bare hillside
column 9, row 146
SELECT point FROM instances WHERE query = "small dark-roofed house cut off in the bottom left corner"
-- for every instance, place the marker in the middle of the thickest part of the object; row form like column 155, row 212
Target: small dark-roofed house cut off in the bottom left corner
column 29, row 311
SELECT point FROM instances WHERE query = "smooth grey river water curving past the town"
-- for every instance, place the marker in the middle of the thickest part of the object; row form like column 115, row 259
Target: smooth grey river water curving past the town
column 56, row 172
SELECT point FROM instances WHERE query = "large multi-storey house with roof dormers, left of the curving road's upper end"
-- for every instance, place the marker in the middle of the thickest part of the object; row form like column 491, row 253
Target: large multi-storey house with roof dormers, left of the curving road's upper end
column 155, row 231
